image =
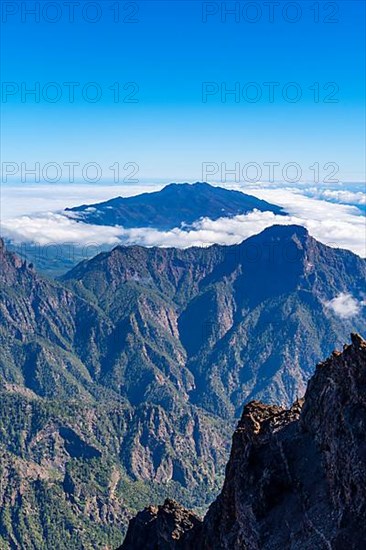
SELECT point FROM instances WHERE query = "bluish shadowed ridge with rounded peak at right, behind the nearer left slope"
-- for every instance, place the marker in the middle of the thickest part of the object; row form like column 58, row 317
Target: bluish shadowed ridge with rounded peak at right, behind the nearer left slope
column 245, row 321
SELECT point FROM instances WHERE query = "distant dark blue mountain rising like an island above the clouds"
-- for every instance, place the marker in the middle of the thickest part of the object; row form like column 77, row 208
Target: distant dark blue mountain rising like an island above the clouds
column 173, row 206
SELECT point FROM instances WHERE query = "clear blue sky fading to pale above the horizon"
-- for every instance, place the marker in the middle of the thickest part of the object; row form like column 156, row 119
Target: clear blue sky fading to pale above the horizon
column 169, row 53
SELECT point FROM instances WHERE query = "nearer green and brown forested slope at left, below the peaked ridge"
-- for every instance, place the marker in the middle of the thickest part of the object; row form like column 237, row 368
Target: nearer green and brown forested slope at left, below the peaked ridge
column 77, row 453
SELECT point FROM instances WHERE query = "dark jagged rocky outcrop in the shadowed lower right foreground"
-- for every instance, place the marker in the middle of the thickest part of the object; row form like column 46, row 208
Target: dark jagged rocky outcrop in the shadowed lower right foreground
column 295, row 479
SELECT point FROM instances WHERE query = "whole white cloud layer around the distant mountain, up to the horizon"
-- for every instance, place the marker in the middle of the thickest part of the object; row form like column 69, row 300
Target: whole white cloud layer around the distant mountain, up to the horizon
column 334, row 215
